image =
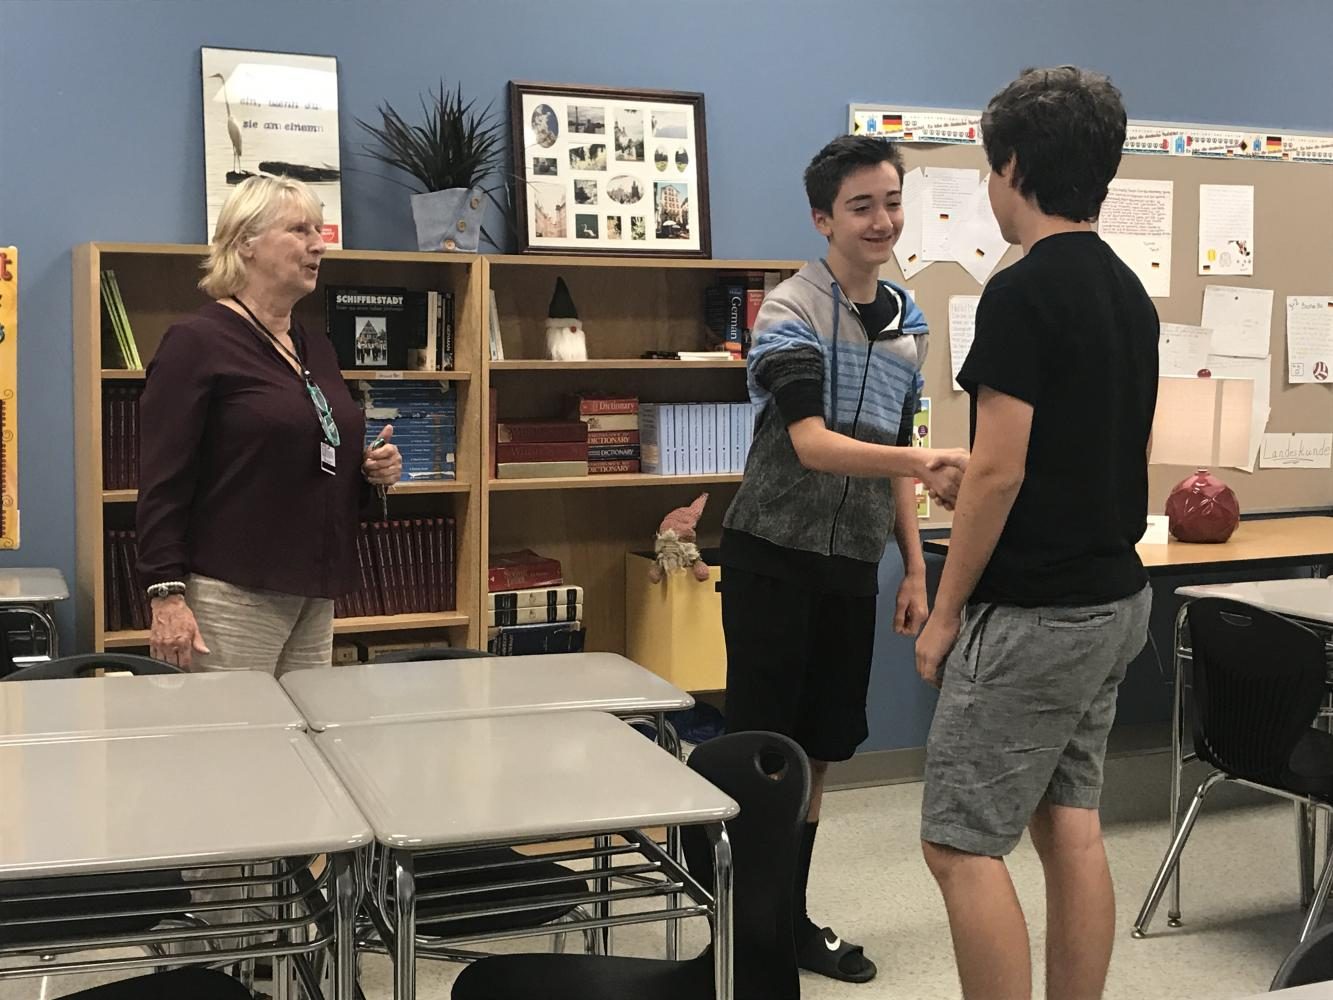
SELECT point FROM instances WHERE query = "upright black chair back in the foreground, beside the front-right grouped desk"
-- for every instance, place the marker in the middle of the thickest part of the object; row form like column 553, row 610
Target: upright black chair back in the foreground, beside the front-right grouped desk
column 770, row 778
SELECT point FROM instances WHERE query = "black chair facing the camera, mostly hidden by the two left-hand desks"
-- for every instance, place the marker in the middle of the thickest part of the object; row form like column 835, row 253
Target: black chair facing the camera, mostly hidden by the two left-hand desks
column 90, row 914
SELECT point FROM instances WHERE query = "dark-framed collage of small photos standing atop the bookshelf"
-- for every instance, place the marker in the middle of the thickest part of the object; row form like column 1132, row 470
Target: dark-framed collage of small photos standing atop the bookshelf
column 610, row 171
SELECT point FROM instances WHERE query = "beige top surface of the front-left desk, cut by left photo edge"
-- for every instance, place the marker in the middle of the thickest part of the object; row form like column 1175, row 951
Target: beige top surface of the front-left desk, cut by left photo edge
column 173, row 801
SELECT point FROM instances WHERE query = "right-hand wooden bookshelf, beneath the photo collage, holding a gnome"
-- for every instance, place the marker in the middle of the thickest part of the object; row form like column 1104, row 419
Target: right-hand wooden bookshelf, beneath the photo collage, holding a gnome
column 629, row 306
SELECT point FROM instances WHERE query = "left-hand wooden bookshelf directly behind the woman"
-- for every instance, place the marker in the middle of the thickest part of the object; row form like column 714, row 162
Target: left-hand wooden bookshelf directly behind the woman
column 159, row 285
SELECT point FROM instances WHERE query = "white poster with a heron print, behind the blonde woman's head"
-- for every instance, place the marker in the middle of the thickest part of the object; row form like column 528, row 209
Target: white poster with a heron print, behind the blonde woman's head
column 271, row 114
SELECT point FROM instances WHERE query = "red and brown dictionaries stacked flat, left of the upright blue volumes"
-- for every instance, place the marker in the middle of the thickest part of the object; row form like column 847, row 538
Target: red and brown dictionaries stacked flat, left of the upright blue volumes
column 599, row 438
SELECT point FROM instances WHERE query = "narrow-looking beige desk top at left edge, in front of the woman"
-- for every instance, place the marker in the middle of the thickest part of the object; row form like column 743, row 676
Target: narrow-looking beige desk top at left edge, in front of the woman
column 109, row 706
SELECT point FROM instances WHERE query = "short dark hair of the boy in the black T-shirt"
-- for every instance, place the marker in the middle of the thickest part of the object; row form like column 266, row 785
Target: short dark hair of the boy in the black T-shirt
column 1063, row 129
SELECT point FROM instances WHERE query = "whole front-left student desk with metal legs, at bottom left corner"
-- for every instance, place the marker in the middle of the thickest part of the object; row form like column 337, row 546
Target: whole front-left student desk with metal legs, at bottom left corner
column 125, row 805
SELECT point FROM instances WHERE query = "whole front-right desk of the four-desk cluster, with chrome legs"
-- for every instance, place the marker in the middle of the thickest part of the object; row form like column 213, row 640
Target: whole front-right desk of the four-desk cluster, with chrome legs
column 513, row 781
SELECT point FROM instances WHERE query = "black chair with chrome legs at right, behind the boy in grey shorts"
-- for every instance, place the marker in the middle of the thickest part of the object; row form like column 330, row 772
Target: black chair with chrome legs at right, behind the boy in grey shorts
column 1258, row 682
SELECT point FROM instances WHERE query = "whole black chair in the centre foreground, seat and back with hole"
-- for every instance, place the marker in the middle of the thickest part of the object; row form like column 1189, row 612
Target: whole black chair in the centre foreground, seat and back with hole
column 770, row 778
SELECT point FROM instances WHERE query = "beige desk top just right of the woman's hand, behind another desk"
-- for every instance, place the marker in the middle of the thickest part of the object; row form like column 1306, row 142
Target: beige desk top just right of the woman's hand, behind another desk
column 438, row 690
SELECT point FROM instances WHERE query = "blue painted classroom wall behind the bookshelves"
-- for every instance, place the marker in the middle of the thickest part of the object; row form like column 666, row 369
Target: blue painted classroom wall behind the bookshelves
column 101, row 135
